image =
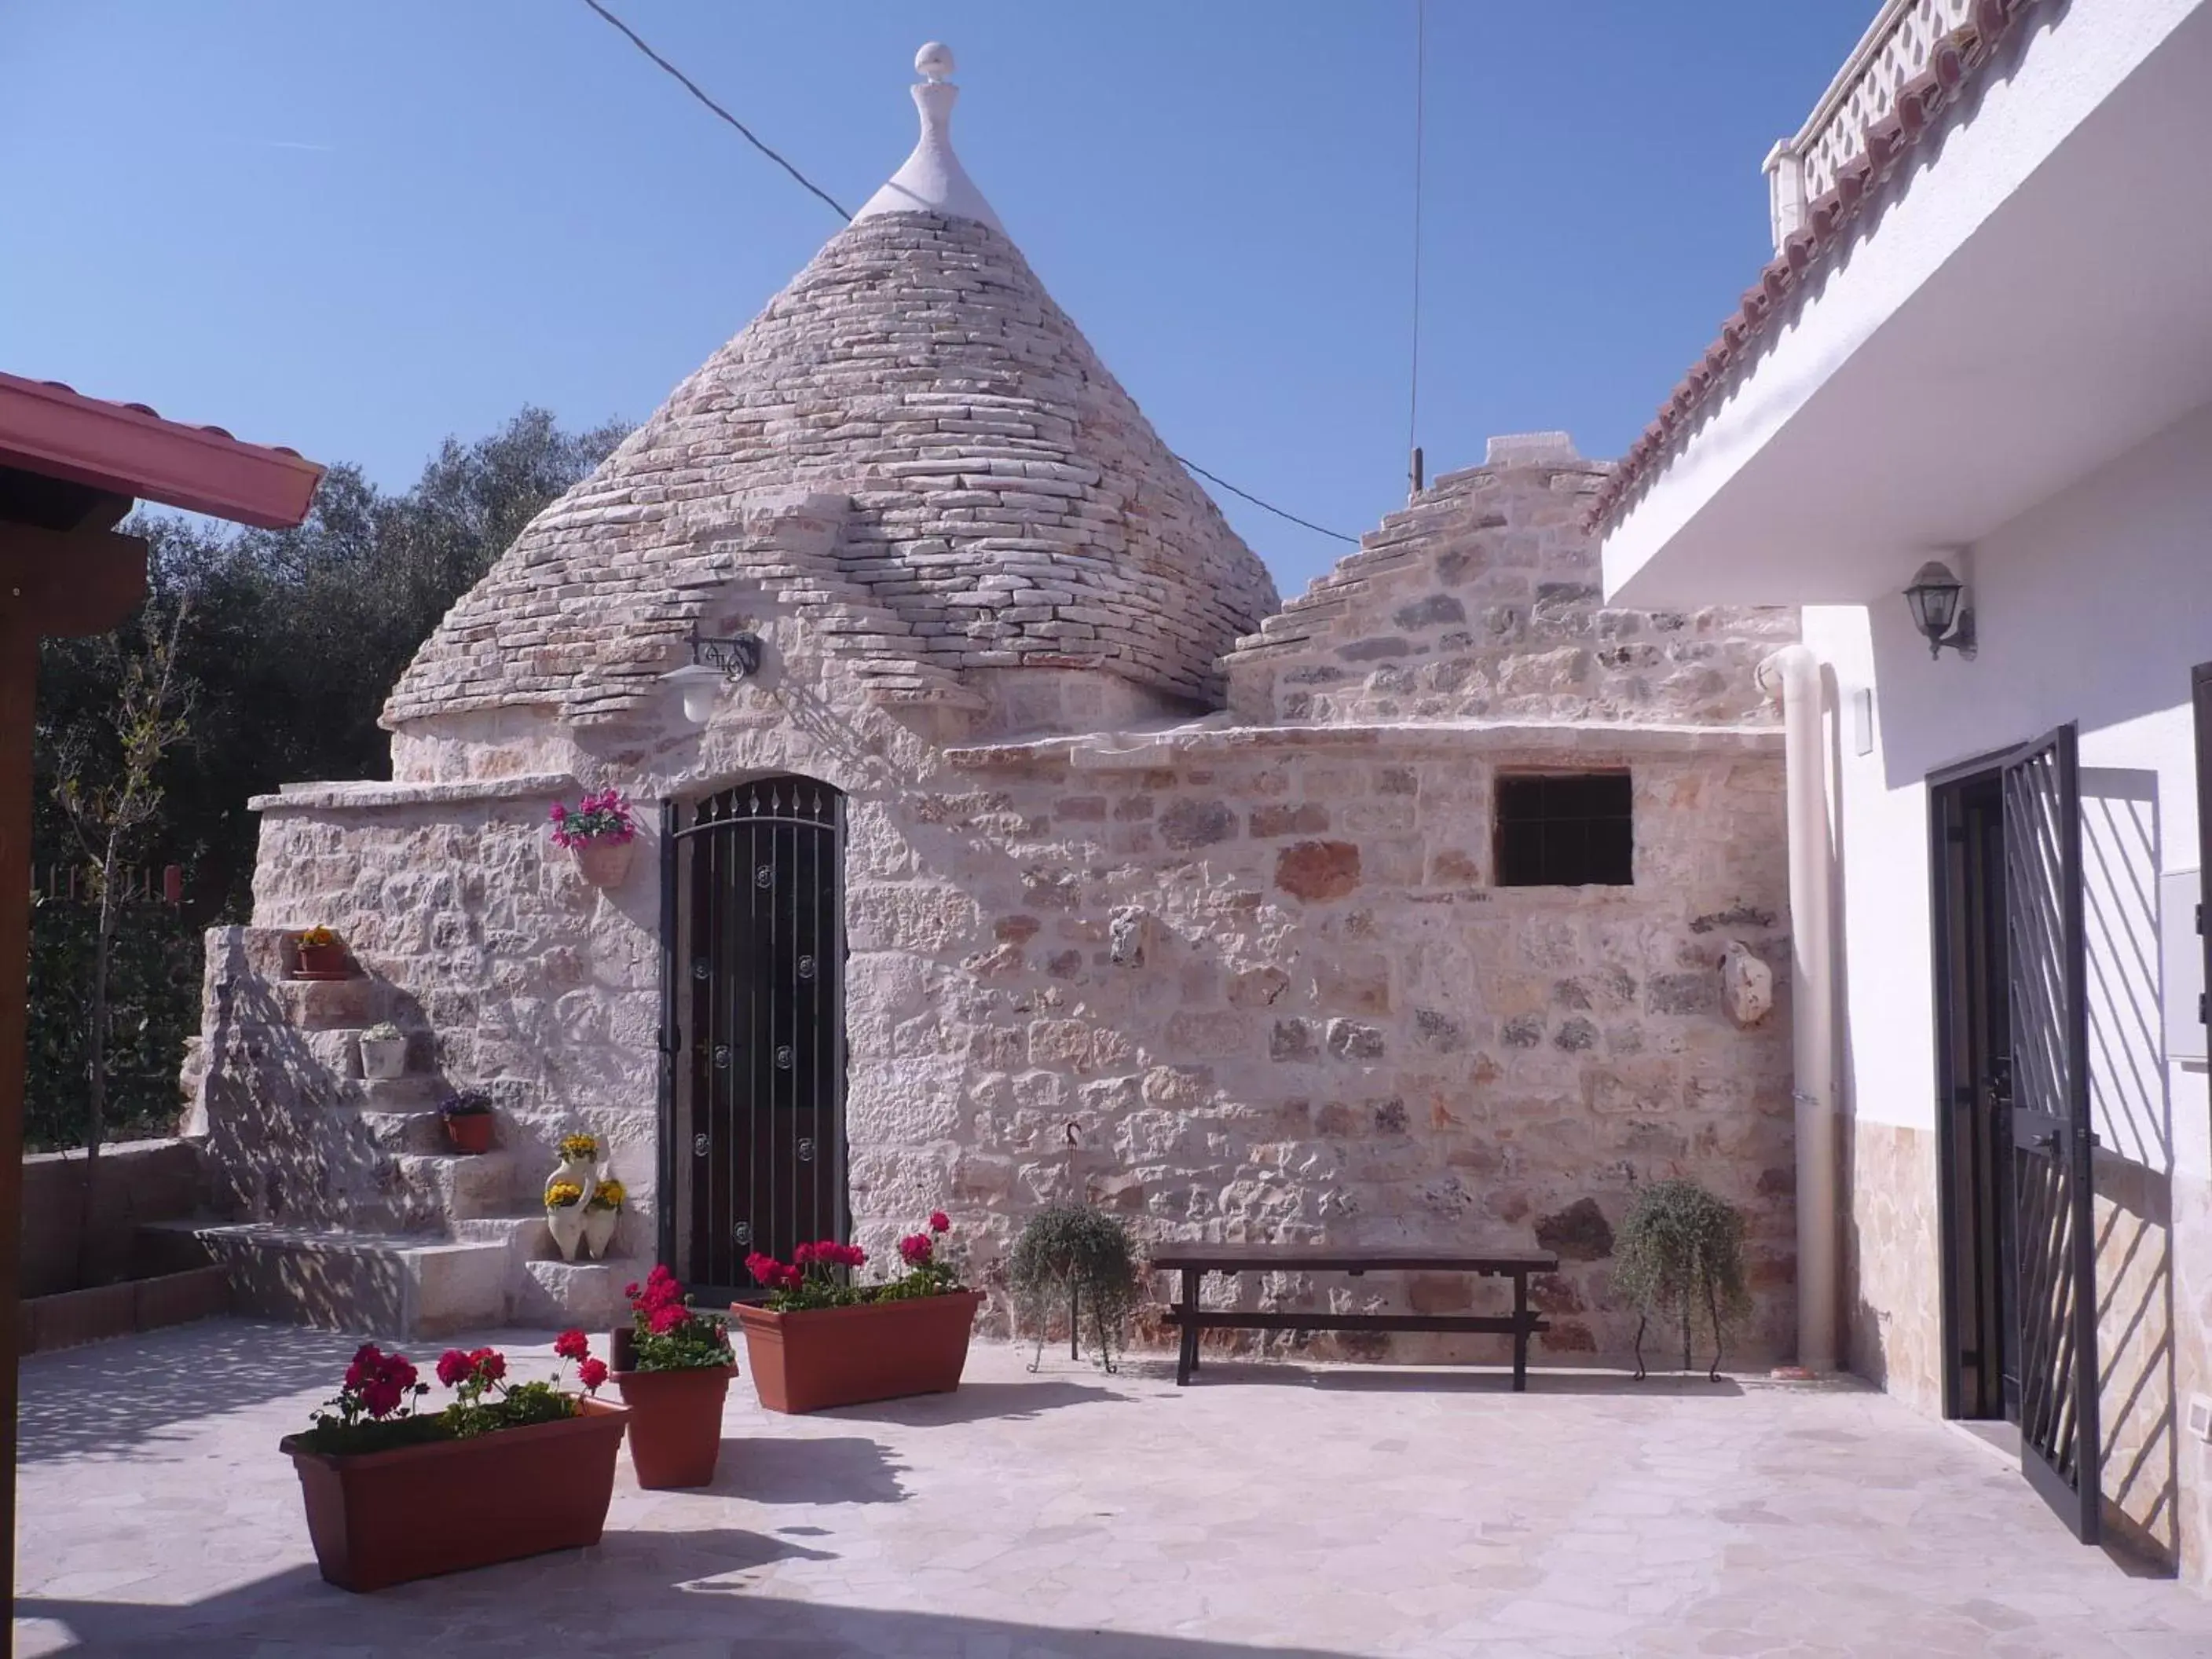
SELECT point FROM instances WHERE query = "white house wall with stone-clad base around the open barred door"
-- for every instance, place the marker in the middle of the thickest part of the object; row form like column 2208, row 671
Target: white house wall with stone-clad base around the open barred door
column 2091, row 609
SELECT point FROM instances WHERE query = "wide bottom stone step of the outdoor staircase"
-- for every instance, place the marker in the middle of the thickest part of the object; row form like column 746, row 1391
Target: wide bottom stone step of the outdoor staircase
column 401, row 1286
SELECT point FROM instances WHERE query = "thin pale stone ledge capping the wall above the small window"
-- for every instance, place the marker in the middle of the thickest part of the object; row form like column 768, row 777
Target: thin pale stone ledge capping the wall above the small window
column 1578, row 742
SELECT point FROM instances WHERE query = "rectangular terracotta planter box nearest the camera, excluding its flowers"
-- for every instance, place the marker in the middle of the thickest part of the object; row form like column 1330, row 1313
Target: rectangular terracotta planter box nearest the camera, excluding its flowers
column 393, row 1516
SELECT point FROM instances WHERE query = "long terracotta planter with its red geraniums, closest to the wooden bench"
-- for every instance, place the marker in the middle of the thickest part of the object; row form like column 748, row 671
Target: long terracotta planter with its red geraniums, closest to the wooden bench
column 826, row 1342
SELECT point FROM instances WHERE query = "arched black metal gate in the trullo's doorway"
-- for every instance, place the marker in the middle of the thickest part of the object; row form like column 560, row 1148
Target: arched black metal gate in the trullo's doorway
column 755, row 928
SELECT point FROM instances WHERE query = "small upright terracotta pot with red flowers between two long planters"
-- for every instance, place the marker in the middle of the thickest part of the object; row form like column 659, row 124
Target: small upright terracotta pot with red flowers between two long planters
column 674, row 1368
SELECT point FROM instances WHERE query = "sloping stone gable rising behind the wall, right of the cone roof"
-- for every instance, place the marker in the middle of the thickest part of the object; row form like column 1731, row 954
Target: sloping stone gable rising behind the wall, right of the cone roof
column 1483, row 601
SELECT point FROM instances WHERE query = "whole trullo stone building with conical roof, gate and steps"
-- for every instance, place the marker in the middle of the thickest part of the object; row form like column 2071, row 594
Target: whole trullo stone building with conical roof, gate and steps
column 1039, row 855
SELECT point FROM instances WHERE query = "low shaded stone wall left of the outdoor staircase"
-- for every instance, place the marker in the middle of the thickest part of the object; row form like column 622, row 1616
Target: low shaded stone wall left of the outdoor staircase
column 138, row 1182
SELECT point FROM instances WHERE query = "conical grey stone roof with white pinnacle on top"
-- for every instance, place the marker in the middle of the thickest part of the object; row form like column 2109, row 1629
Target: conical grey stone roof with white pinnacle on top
column 915, row 446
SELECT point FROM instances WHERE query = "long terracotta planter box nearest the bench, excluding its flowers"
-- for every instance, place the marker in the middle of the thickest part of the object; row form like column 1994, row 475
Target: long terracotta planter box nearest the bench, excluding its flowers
column 851, row 1355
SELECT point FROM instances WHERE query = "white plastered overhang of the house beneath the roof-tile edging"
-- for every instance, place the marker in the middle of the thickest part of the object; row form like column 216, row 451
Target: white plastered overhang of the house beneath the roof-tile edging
column 1976, row 286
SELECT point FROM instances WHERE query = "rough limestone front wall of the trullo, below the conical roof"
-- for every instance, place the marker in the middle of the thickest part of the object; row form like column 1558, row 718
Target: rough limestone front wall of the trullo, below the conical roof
column 1262, row 972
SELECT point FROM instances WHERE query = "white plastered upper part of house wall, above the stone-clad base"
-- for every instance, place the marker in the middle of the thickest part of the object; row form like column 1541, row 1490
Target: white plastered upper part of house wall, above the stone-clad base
column 2094, row 609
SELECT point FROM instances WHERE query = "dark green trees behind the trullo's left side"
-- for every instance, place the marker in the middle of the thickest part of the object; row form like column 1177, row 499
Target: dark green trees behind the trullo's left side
column 286, row 649
